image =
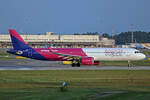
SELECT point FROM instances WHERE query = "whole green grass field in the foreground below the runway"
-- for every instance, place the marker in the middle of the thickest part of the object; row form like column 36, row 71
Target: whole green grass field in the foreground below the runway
column 82, row 85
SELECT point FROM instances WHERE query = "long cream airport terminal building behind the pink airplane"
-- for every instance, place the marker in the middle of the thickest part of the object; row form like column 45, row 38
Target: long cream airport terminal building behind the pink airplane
column 60, row 41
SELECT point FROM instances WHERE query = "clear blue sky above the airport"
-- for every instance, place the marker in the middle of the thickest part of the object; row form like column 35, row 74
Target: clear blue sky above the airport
column 74, row 16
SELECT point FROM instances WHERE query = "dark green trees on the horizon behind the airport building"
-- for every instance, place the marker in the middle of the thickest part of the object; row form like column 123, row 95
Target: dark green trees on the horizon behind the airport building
column 124, row 37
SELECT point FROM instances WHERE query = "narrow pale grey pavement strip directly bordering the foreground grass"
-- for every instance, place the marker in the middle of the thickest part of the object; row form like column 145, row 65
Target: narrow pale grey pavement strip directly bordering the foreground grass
column 75, row 68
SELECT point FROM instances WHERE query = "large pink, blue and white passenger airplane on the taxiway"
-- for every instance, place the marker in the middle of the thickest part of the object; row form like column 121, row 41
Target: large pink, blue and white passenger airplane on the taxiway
column 78, row 56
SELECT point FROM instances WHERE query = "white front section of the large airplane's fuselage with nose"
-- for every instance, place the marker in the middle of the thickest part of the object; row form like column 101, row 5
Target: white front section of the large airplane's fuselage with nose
column 114, row 54
